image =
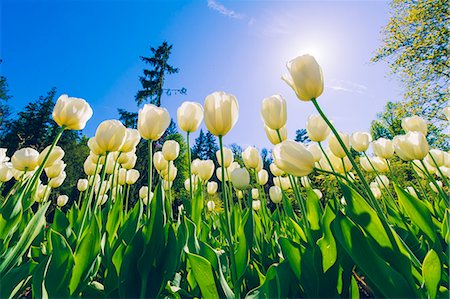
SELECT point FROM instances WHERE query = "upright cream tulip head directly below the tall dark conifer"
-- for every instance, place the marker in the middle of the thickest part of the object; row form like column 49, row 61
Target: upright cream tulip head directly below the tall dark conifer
column 152, row 121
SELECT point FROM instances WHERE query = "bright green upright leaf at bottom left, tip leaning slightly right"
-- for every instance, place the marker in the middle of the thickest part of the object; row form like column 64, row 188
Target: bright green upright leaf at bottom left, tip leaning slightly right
column 84, row 256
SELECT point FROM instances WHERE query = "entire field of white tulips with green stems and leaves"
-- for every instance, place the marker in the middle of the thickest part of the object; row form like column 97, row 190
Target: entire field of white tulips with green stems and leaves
column 314, row 243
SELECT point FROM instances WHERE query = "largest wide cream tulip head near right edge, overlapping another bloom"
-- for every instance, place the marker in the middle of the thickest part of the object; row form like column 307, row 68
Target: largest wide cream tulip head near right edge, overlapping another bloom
column 412, row 146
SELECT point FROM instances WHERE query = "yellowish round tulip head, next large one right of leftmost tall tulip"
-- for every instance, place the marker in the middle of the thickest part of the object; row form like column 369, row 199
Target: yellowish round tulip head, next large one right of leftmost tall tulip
column 110, row 135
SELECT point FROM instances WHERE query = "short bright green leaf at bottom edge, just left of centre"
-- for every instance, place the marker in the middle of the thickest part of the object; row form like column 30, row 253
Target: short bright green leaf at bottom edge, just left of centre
column 203, row 274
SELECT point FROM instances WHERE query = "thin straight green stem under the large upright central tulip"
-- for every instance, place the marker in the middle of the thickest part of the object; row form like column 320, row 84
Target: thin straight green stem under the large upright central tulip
column 227, row 216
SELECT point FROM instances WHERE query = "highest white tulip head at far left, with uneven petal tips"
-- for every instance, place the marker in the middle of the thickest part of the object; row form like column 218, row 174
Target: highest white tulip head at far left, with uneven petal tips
column 72, row 113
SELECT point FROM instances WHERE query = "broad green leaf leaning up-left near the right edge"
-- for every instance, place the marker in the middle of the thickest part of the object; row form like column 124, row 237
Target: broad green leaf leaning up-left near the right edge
column 417, row 211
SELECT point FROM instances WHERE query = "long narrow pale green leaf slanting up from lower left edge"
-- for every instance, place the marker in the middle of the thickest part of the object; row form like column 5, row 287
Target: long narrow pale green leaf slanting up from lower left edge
column 32, row 230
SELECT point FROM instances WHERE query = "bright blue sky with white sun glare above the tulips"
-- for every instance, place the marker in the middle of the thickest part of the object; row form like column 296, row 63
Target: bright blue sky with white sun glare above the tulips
column 91, row 49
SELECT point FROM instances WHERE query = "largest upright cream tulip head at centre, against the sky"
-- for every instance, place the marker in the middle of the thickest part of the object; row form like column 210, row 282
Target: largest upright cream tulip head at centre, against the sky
column 221, row 112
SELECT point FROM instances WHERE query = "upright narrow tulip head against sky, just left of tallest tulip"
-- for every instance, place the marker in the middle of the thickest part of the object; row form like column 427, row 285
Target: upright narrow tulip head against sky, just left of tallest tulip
column 274, row 112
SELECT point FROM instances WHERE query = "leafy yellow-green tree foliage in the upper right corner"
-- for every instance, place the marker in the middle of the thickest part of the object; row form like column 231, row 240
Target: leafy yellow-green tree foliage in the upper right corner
column 416, row 43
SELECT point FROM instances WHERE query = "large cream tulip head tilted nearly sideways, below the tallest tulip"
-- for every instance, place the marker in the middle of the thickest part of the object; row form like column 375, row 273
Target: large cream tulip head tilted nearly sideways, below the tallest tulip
column 293, row 158
